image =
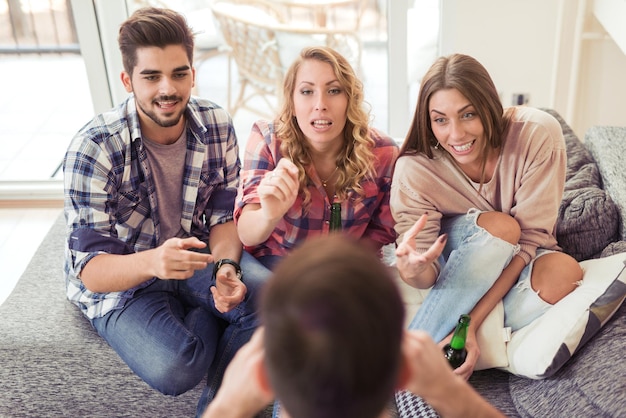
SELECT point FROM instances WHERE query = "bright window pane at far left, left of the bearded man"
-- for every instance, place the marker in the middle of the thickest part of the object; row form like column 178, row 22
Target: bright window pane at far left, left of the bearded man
column 46, row 98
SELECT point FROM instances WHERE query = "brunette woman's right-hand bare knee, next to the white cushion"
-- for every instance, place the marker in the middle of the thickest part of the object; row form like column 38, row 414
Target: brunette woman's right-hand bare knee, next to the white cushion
column 555, row 275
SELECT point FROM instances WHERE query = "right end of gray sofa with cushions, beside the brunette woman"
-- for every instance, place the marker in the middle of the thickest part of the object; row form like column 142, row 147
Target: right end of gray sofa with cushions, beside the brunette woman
column 591, row 225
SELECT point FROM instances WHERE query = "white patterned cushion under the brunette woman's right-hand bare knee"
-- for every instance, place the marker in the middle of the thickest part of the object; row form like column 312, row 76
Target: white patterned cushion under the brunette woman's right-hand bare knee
column 541, row 348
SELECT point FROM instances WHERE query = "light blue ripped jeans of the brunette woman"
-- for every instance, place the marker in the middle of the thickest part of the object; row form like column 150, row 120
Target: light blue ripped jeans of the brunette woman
column 471, row 262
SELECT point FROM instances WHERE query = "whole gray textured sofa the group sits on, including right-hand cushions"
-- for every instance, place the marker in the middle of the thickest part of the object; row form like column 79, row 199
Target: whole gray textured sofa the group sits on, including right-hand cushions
column 53, row 364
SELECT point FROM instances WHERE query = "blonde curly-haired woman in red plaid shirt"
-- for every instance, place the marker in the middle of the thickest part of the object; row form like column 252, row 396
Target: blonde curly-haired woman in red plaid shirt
column 320, row 150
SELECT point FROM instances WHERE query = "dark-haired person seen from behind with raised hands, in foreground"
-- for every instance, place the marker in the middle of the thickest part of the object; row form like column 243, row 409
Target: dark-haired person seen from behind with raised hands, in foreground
column 332, row 344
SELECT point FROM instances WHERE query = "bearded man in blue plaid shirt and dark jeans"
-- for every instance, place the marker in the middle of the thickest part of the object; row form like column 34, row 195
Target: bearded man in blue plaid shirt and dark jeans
column 152, row 256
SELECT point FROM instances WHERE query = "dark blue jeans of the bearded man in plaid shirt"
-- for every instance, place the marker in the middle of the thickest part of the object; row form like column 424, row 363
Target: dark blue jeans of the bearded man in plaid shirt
column 170, row 333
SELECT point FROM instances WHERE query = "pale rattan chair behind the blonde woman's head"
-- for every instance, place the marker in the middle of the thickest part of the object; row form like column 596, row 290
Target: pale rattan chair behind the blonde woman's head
column 263, row 45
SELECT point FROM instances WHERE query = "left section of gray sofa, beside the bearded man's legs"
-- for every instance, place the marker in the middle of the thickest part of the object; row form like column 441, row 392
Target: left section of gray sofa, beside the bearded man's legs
column 53, row 364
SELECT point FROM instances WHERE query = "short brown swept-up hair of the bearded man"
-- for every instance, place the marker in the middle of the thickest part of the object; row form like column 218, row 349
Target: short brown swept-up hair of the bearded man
column 153, row 26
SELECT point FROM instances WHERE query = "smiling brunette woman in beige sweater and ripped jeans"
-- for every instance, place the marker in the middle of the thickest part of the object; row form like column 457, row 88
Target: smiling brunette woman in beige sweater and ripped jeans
column 475, row 196
